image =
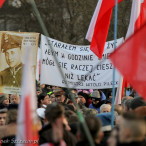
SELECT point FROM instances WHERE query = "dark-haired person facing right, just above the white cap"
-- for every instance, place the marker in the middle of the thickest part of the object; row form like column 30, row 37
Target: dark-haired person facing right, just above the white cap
column 43, row 100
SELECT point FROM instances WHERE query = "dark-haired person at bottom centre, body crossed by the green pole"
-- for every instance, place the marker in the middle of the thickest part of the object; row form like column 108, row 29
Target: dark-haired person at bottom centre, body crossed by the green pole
column 94, row 125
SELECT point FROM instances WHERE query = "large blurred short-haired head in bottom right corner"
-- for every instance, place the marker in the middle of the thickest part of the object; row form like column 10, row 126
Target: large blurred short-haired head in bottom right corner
column 132, row 128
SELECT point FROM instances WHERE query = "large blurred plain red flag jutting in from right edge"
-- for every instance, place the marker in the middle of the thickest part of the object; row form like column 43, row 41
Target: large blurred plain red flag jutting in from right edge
column 130, row 60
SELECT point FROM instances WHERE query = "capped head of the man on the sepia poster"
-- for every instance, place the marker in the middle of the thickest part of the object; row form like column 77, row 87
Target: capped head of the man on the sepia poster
column 11, row 46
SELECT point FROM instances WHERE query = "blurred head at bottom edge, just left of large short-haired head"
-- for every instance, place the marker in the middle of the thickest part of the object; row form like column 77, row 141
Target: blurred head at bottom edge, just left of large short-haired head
column 113, row 138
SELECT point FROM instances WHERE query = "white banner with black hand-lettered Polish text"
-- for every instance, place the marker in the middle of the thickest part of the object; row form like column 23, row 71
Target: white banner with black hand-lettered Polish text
column 77, row 63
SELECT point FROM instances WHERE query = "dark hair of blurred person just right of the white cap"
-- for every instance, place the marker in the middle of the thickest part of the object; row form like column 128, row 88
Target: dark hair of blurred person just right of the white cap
column 54, row 111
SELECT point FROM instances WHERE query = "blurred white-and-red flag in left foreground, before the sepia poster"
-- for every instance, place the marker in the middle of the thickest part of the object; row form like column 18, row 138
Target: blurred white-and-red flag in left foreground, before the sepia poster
column 27, row 117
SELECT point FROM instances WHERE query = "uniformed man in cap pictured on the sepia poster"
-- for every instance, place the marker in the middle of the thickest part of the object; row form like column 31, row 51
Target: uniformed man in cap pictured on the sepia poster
column 11, row 46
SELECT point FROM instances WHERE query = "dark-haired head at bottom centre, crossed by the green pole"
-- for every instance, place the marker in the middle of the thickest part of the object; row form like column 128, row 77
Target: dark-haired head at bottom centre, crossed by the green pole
column 94, row 125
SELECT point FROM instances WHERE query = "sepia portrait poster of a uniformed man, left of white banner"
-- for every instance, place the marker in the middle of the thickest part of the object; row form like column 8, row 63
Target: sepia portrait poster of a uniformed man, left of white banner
column 12, row 53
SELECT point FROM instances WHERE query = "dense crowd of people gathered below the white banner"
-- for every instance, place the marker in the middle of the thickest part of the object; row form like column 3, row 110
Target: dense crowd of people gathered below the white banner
column 61, row 123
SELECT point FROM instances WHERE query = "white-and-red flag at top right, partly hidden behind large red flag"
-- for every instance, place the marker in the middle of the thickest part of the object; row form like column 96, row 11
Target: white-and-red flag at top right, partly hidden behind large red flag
column 136, row 21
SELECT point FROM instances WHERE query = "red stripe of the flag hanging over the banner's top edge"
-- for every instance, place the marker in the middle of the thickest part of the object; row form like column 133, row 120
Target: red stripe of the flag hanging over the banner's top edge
column 102, row 27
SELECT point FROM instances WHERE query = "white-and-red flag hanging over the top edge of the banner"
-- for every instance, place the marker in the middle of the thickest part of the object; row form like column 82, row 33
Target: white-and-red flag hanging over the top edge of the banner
column 99, row 25
